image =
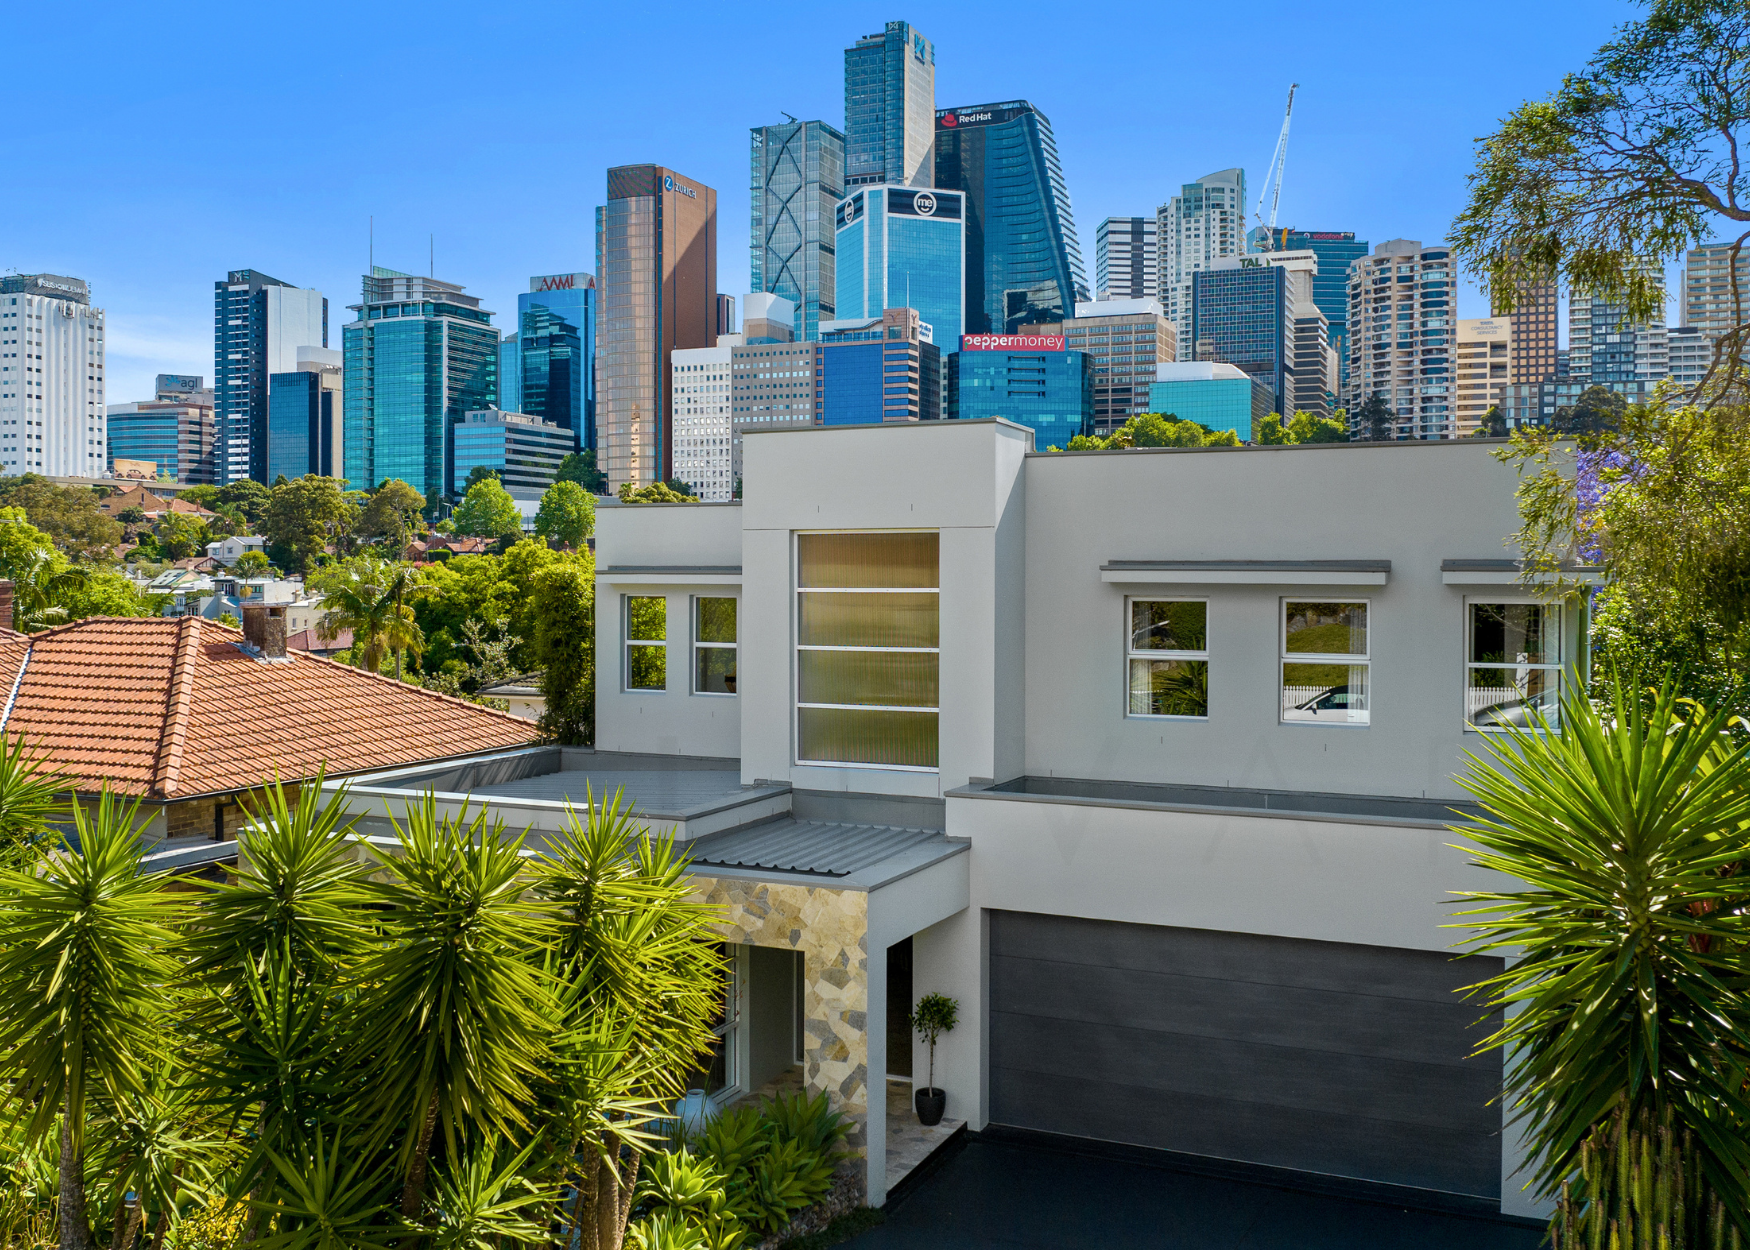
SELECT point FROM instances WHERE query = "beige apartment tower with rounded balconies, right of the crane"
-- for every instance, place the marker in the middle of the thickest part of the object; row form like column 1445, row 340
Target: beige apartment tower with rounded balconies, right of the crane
column 1403, row 335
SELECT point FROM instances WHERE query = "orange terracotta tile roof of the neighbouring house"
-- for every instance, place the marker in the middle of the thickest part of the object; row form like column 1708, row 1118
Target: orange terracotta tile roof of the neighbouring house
column 172, row 708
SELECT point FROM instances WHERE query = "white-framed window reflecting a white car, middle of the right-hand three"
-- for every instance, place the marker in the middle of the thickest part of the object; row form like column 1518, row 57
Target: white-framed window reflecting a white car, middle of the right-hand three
column 1326, row 670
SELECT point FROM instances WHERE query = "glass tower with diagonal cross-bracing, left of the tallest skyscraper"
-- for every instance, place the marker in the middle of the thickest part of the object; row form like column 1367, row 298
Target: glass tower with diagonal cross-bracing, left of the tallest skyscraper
column 799, row 178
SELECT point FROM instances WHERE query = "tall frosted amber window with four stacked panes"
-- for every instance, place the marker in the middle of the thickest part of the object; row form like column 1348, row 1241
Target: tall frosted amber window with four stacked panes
column 867, row 649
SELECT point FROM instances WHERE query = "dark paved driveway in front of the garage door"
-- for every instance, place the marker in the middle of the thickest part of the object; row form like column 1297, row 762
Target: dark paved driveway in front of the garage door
column 1023, row 1195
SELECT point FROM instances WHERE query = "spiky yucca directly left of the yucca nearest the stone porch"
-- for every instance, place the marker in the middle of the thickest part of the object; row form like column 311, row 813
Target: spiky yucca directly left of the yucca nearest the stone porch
column 456, row 1008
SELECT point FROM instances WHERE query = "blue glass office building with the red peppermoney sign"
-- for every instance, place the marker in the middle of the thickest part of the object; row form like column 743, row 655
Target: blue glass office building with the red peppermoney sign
column 1051, row 391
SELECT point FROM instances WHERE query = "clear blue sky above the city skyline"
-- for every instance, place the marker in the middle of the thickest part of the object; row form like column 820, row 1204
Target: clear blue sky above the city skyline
column 181, row 141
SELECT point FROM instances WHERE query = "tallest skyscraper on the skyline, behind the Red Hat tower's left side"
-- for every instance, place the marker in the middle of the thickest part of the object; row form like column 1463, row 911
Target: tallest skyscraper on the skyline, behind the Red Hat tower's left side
column 890, row 109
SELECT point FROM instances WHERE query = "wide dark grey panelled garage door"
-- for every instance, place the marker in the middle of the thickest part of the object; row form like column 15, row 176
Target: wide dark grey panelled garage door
column 1319, row 1057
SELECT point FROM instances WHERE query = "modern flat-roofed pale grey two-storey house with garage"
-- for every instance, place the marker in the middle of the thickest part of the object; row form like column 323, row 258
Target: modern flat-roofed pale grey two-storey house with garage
column 1145, row 757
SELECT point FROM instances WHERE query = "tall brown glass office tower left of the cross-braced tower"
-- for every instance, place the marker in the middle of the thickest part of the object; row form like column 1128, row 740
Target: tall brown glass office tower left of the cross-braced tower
column 657, row 256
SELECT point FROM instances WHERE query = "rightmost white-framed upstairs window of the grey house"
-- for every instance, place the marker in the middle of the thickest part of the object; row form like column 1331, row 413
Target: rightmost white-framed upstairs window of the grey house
column 1513, row 664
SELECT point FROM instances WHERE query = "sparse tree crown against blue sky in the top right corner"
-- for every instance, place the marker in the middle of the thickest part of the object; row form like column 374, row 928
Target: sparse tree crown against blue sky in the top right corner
column 1635, row 157
